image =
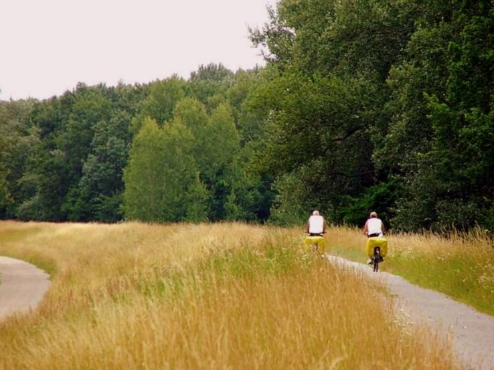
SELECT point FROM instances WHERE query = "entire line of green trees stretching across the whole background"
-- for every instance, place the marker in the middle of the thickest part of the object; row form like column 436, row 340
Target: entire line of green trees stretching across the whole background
column 381, row 105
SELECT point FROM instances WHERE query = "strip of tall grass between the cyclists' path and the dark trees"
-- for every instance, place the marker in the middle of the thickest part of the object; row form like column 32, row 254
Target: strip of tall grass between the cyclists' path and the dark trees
column 459, row 265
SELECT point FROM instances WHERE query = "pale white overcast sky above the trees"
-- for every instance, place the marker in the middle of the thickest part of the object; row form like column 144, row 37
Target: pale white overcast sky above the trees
column 48, row 46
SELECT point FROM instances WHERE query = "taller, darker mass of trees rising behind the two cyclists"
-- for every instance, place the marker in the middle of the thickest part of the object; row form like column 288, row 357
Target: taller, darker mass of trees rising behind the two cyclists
column 383, row 105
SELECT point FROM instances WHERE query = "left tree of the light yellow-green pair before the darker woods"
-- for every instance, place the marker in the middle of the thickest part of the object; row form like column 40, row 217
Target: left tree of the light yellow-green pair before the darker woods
column 159, row 173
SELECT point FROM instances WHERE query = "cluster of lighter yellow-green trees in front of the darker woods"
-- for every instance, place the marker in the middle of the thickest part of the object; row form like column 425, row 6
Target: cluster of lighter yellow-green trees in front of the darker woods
column 174, row 170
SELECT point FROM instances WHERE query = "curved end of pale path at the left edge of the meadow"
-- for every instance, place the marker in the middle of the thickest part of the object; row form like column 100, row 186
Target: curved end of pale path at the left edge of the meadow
column 22, row 286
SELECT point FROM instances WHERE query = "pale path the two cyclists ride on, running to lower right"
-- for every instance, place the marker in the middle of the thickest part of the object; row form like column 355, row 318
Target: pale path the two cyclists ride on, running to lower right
column 472, row 332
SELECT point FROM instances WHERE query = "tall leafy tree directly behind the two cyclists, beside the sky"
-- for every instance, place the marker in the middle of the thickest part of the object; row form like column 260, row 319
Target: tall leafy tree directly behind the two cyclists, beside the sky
column 333, row 58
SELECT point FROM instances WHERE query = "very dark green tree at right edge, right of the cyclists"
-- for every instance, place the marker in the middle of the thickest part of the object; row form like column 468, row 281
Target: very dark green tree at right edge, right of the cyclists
column 441, row 125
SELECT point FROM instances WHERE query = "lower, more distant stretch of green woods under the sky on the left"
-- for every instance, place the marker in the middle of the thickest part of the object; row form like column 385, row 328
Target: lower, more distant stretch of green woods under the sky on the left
column 172, row 150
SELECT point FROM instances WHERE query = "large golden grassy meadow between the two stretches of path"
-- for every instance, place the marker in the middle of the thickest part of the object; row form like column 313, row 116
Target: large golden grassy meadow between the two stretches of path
column 222, row 296
